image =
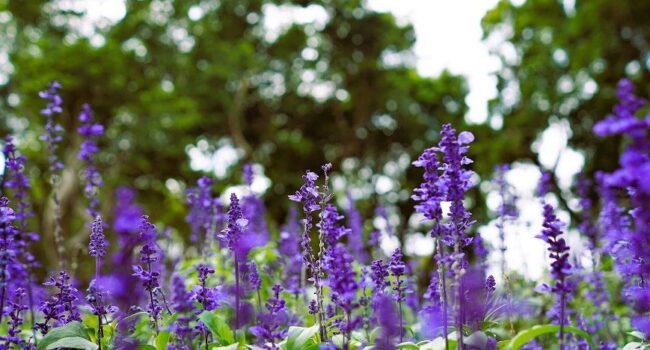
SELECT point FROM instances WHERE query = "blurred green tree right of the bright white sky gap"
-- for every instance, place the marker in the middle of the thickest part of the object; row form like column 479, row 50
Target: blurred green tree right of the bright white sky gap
column 561, row 60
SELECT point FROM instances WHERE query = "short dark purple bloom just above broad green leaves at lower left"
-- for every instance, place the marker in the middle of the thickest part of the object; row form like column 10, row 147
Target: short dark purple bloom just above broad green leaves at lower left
column 62, row 306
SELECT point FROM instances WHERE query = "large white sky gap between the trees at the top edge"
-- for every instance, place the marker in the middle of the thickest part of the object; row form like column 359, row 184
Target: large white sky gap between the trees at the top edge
column 448, row 34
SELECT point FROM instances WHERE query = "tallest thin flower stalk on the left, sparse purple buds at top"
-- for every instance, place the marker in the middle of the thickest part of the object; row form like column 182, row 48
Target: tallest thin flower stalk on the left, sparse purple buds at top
column 52, row 137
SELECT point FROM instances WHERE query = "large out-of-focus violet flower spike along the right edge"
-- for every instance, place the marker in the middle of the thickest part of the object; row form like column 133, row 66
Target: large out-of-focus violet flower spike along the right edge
column 627, row 230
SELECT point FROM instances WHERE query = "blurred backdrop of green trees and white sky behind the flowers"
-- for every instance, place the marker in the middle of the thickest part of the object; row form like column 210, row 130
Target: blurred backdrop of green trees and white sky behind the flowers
column 191, row 88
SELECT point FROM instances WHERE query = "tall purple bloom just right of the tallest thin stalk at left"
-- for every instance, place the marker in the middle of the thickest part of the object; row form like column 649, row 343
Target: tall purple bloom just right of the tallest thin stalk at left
column 89, row 132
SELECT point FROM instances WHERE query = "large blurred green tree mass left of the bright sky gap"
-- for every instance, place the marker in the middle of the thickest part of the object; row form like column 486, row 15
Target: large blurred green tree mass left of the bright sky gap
column 169, row 75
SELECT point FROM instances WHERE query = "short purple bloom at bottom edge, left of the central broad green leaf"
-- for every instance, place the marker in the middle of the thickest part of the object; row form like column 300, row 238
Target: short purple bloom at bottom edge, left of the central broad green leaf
column 269, row 328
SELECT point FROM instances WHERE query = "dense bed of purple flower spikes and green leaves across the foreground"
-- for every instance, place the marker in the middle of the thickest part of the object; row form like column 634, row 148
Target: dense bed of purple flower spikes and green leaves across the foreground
column 238, row 280
